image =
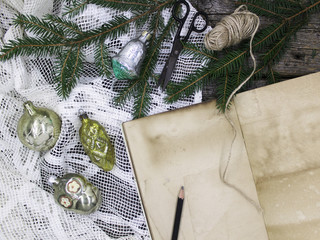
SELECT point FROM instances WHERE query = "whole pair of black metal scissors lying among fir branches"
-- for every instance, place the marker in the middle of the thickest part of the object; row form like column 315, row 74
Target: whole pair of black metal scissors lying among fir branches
column 178, row 42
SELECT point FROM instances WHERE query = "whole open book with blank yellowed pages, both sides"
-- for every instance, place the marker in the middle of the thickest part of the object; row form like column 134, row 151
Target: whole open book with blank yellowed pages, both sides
column 275, row 161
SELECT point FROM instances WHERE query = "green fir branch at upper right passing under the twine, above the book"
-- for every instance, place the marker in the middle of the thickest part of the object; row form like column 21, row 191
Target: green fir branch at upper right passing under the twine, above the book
column 228, row 71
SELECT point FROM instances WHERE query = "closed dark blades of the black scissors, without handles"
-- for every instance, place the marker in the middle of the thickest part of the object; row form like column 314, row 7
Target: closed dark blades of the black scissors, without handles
column 170, row 65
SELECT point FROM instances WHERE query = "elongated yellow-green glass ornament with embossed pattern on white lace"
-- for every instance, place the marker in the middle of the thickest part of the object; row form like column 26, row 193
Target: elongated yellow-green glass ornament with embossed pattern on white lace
column 96, row 143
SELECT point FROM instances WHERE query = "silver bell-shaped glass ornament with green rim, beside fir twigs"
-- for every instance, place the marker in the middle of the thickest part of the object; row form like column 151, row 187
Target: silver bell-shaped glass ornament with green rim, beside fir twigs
column 126, row 64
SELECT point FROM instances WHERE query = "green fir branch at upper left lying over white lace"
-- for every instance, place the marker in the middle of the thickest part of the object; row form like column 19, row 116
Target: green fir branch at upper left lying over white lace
column 60, row 37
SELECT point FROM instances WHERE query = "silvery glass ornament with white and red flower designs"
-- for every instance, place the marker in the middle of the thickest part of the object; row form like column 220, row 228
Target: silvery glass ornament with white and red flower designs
column 75, row 193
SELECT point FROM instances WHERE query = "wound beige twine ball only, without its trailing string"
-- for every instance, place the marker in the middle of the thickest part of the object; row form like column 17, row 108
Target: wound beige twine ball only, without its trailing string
column 232, row 29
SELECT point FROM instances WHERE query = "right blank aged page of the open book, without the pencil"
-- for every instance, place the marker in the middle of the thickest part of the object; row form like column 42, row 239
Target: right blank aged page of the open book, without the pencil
column 281, row 128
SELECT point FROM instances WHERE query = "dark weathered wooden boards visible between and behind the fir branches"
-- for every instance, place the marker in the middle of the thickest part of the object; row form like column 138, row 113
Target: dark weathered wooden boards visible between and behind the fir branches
column 301, row 57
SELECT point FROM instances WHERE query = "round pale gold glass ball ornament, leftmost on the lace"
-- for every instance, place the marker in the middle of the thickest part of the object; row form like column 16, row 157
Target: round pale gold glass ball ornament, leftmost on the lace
column 38, row 128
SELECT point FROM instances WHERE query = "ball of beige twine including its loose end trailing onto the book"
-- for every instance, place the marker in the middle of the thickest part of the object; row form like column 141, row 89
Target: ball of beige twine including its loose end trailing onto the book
column 230, row 31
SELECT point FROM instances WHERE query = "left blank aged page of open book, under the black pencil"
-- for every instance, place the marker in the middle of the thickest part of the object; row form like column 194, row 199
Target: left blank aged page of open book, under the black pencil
column 184, row 147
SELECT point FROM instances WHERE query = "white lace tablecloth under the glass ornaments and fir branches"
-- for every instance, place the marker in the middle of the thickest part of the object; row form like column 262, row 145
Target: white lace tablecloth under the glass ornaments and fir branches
column 28, row 210
